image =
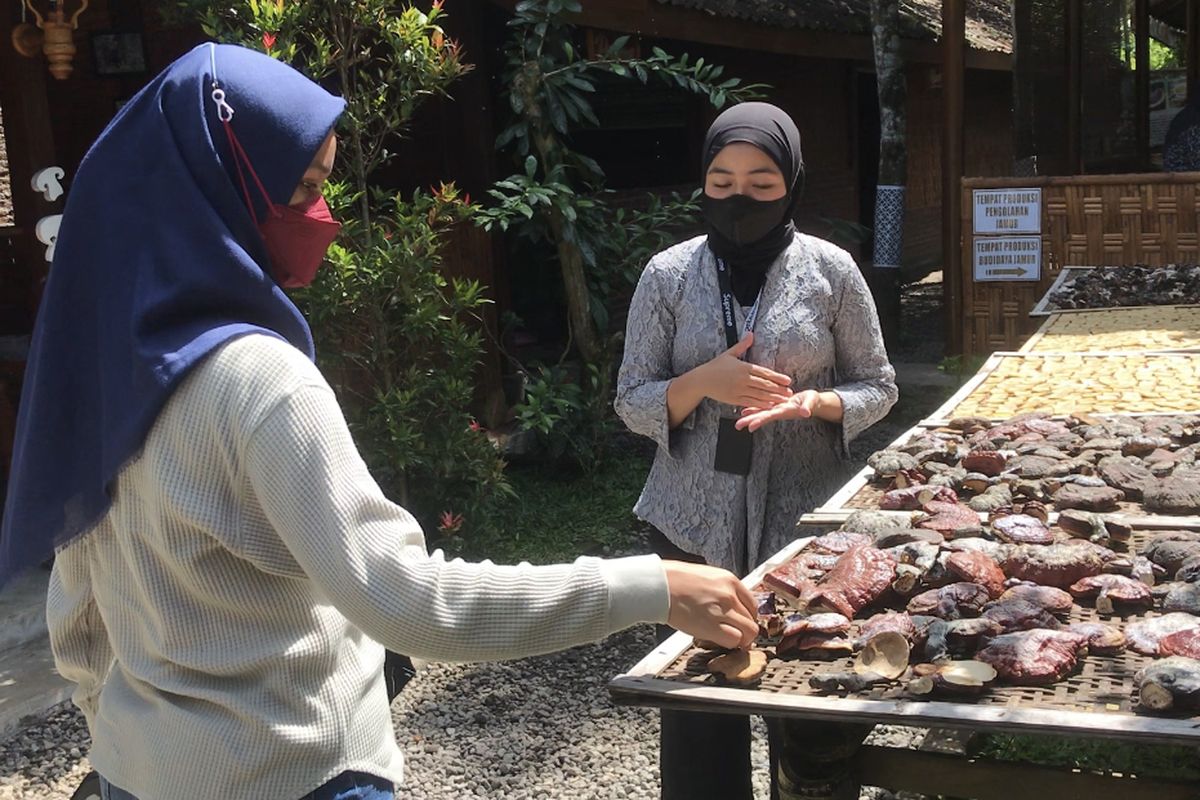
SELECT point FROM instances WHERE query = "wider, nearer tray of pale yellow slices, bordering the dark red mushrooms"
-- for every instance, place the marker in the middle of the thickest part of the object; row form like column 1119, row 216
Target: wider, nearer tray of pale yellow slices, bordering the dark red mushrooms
column 1071, row 383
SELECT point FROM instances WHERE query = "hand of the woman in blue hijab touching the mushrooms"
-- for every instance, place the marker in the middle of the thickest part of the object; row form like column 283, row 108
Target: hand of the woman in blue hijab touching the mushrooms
column 711, row 604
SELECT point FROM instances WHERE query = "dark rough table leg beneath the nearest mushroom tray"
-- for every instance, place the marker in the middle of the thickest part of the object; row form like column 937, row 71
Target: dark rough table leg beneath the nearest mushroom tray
column 815, row 759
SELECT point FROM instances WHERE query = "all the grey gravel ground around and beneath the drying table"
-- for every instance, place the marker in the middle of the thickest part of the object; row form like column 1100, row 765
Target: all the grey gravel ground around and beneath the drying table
column 531, row 730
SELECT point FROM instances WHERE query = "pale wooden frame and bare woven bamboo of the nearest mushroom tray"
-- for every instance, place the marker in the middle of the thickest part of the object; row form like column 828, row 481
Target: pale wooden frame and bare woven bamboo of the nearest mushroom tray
column 1097, row 701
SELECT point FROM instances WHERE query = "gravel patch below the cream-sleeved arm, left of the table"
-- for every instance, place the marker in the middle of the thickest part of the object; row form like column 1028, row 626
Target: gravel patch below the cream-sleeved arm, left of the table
column 530, row 729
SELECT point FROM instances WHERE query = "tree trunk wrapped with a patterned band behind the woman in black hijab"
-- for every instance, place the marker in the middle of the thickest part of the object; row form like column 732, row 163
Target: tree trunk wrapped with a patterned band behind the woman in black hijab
column 890, row 194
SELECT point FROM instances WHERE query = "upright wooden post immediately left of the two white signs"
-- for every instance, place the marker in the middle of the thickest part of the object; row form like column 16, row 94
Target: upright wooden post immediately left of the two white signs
column 955, row 26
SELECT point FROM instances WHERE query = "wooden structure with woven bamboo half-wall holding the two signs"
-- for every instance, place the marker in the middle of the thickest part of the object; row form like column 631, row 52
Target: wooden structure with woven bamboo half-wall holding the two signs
column 1087, row 146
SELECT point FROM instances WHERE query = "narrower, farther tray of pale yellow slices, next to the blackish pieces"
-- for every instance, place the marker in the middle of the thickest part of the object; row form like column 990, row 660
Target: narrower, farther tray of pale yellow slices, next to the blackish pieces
column 1120, row 330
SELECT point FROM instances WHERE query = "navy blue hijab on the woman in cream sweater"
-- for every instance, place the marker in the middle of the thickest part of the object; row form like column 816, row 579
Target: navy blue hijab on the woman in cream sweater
column 158, row 263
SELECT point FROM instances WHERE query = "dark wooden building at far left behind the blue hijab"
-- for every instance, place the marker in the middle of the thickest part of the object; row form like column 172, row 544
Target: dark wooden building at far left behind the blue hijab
column 46, row 122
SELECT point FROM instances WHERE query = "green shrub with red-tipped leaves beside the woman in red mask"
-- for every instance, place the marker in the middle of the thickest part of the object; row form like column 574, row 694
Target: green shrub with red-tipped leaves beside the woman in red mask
column 399, row 342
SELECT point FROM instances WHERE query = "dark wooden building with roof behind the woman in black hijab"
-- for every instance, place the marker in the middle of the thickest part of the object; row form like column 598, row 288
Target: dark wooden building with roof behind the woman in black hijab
column 817, row 56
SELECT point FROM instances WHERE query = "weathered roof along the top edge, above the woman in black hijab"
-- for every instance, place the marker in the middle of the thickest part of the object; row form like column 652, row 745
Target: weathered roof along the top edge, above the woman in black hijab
column 989, row 22
